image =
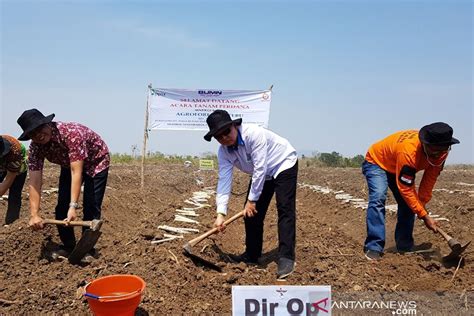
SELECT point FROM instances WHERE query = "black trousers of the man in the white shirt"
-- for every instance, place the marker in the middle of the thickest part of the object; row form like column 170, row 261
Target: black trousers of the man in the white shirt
column 284, row 187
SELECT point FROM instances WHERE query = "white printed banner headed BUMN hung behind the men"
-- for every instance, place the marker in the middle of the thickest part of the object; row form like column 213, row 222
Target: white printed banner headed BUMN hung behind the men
column 178, row 109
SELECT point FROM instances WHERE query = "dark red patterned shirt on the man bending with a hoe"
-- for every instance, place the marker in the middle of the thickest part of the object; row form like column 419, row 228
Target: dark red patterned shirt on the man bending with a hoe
column 71, row 142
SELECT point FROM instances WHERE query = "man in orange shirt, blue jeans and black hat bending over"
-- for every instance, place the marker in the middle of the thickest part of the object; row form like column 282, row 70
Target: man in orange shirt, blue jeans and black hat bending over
column 393, row 163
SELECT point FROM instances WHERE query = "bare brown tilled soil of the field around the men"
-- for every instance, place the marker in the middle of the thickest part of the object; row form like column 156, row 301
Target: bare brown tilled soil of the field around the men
column 330, row 235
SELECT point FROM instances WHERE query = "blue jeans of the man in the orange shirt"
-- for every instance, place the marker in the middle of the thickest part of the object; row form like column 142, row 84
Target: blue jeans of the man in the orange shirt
column 378, row 181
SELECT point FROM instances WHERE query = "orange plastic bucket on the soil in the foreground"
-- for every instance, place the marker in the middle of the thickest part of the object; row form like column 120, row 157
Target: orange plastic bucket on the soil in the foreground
column 115, row 294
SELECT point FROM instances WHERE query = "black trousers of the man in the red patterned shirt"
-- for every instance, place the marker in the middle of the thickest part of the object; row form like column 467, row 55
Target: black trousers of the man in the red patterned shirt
column 93, row 195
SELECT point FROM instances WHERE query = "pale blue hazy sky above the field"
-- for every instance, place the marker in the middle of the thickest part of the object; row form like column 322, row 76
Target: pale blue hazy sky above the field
column 345, row 73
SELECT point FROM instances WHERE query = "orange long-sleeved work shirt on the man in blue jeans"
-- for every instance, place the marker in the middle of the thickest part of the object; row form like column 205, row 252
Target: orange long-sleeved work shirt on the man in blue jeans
column 402, row 154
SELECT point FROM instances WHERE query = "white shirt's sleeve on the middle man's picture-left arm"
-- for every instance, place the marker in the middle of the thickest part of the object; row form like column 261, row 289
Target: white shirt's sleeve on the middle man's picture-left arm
column 224, row 185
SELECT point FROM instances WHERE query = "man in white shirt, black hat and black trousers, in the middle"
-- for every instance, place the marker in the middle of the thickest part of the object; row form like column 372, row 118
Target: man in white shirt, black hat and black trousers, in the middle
column 273, row 164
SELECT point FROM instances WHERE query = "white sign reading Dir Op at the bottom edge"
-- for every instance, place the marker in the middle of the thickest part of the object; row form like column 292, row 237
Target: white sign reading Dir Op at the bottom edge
column 281, row 300
